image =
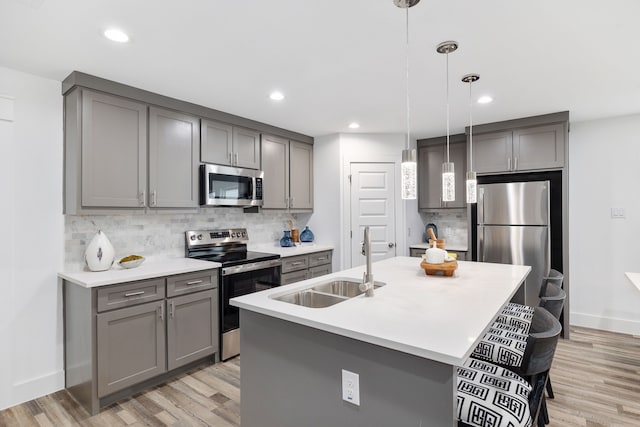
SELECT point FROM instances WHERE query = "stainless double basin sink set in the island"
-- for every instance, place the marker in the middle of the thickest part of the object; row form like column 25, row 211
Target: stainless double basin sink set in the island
column 325, row 294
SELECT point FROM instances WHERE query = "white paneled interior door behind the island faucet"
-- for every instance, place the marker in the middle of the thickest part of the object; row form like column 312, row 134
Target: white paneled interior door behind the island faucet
column 373, row 204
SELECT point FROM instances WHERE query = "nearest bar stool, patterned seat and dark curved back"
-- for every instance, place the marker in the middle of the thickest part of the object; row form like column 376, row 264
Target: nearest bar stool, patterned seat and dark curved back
column 492, row 395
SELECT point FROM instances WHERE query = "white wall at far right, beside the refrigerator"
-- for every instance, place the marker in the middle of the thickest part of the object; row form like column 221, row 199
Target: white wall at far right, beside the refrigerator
column 604, row 172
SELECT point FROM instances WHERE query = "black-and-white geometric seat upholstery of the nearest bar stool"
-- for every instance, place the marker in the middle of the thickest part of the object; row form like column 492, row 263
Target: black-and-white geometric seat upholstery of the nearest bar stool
column 491, row 396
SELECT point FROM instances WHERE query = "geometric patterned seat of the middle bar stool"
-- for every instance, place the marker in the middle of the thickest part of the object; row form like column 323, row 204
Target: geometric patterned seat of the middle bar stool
column 502, row 346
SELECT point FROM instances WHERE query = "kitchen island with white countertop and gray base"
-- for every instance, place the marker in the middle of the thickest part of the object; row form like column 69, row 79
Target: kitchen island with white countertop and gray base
column 404, row 344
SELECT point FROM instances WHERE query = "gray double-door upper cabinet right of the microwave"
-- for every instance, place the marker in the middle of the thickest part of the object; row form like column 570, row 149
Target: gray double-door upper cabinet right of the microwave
column 288, row 174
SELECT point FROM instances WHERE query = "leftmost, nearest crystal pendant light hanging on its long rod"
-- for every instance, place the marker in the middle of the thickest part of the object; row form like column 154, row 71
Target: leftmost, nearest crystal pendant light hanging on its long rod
column 409, row 164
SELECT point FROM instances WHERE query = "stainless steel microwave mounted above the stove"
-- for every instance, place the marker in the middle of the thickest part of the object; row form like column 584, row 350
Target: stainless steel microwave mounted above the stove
column 229, row 186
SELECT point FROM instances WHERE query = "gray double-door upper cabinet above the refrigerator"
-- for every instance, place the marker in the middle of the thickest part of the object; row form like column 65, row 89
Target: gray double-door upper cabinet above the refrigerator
column 522, row 149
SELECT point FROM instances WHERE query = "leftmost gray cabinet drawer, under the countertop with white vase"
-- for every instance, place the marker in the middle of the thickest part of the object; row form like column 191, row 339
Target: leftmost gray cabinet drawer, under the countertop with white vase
column 132, row 293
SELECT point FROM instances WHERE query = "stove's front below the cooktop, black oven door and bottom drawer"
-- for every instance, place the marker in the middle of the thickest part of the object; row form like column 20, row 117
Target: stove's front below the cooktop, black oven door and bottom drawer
column 235, row 284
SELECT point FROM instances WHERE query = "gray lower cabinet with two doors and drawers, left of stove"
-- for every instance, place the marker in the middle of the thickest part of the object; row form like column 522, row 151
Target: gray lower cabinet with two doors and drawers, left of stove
column 122, row 338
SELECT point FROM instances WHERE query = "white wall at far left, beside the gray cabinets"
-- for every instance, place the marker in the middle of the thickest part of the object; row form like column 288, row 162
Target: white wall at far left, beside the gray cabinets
column 31, row 236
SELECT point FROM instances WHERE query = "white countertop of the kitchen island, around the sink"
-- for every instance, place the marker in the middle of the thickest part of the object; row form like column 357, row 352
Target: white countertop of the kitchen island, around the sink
column 435, row 317
